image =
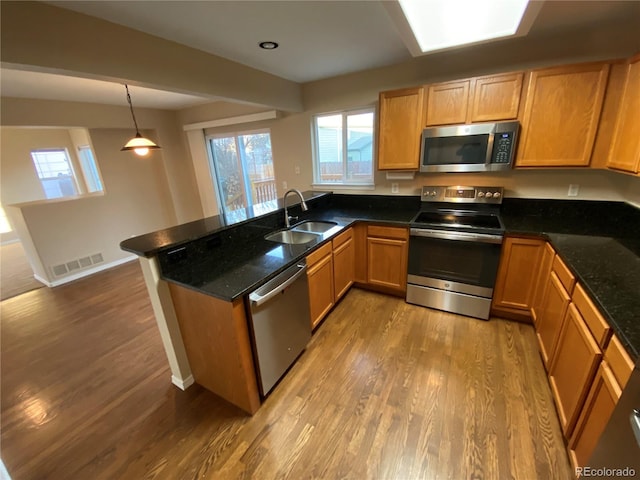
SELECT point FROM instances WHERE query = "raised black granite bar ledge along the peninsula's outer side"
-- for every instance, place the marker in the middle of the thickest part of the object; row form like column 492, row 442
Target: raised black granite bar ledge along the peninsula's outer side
column 156, row 246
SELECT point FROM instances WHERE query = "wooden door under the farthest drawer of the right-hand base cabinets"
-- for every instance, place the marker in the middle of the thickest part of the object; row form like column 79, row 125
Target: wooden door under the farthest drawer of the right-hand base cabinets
column 554, row 307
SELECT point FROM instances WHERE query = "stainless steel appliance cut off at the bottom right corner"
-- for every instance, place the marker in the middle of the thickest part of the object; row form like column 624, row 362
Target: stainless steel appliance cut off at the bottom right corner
column 617, row 453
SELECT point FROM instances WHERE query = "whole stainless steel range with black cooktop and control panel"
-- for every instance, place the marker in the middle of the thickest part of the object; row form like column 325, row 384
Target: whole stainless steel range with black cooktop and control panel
column 454, row 249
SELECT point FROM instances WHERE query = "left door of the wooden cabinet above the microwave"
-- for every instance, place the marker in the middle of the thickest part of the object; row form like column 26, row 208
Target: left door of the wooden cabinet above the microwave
column 447, row 103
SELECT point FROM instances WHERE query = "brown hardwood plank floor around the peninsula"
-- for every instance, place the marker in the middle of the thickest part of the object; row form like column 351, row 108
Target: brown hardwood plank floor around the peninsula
column 384, row 390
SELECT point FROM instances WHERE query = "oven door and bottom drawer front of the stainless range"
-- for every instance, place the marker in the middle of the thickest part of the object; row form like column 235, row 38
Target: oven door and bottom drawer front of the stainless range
column 453, row 271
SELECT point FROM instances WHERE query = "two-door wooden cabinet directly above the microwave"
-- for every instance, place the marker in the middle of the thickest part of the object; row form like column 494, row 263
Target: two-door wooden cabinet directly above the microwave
column 480, row 99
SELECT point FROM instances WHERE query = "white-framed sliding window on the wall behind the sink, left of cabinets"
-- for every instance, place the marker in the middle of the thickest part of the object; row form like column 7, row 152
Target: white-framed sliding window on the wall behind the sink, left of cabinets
column 343, row 148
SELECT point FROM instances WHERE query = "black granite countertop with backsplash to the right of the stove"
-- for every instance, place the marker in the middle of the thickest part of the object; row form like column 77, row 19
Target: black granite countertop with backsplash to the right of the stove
column 600, row 243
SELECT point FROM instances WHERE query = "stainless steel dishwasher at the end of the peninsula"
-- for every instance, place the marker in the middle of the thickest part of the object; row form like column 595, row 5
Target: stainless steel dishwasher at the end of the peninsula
column 281, row 323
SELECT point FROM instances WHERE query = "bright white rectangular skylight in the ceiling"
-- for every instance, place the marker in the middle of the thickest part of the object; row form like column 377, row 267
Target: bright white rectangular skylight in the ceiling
column 441, row 24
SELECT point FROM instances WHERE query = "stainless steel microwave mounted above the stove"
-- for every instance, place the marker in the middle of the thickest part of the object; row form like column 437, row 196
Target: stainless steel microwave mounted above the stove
column 477, row 147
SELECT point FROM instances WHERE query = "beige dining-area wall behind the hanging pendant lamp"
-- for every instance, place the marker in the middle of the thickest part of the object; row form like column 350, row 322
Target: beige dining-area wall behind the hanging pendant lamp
column 139, row 192
